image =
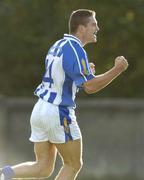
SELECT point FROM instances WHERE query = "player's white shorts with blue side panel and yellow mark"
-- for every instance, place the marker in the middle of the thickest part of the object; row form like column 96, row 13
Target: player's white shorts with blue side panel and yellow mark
column 56, row 124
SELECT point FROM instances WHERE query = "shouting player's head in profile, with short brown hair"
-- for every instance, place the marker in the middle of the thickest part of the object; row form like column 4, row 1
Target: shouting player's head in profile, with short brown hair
column 83, row 22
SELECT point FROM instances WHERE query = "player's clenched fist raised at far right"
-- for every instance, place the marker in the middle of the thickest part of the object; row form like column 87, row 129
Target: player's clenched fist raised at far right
column 121, row 63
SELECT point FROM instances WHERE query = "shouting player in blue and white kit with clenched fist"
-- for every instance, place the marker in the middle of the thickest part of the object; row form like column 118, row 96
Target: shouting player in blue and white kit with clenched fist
column 53, row 122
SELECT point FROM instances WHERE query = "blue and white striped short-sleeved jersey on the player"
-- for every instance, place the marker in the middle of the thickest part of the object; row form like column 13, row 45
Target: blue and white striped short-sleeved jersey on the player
column 66, row 69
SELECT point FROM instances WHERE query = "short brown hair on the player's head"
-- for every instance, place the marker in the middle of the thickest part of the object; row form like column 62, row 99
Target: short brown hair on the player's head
column 79, row 17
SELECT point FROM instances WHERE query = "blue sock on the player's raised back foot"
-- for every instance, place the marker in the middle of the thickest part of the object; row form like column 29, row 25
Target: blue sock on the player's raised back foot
column 8, row 173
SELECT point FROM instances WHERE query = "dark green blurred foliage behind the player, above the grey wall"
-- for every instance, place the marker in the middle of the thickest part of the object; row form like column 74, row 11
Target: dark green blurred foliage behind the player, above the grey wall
column 29, row 27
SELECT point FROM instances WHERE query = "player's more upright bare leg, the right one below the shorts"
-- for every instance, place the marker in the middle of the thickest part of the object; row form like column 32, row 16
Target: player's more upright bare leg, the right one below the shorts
column 71, row 154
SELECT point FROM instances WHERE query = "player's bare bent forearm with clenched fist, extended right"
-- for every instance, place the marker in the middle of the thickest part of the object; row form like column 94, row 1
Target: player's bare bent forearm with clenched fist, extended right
column 100, row 81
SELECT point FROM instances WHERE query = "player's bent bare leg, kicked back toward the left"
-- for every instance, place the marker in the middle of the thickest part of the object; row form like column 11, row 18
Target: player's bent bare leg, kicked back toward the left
column 43, row 166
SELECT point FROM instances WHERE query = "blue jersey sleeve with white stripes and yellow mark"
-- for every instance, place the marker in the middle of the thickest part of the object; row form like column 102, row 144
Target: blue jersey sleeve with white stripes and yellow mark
column 75, row 64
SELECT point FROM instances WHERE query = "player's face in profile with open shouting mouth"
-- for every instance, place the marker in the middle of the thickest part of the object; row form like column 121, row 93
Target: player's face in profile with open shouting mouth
column 90, row 32
